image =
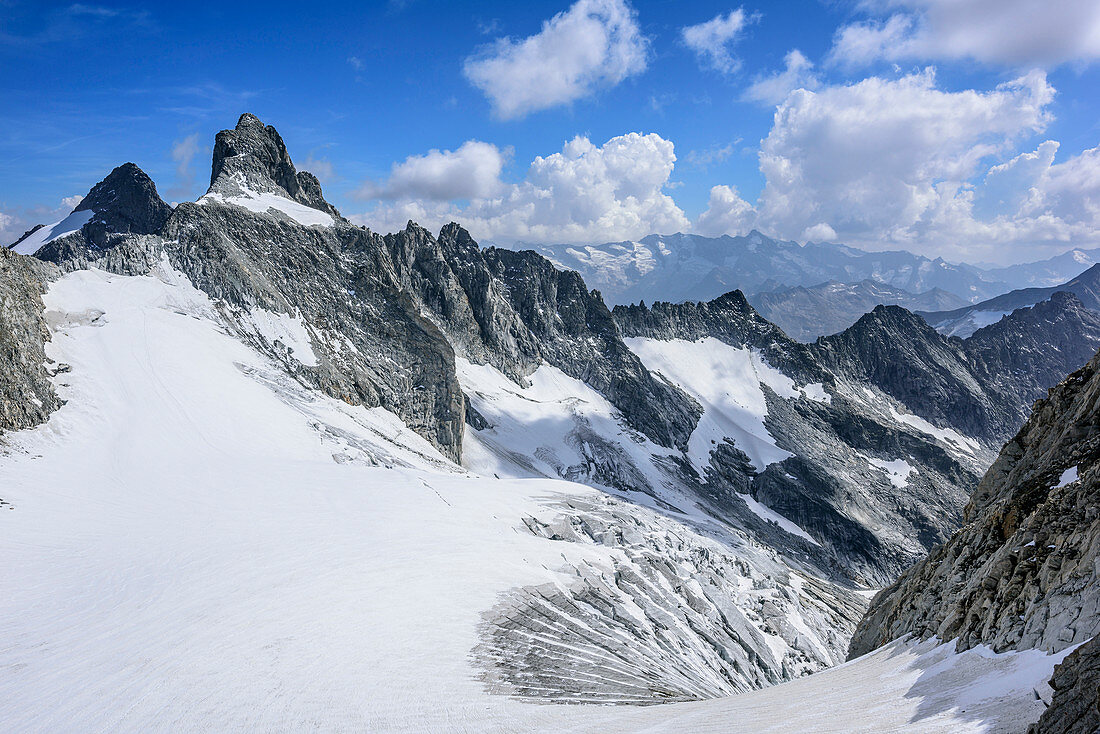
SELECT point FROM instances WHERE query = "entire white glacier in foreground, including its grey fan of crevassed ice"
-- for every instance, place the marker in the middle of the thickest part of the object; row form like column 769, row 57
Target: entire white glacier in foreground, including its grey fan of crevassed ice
column 196, row 541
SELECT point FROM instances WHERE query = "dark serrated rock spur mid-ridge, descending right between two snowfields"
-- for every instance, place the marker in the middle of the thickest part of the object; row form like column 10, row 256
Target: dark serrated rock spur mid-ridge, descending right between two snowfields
column 515, row 311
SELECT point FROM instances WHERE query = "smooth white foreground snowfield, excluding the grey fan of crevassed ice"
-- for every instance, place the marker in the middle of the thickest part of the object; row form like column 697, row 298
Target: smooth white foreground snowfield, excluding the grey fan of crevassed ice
column 196, row 543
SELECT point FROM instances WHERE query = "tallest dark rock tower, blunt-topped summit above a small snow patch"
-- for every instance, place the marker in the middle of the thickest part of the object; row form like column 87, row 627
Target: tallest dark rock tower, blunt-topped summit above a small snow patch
column 254, row 158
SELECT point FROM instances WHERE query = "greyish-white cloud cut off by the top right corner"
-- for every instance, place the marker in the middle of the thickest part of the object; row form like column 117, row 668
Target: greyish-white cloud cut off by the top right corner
column 1018, row 34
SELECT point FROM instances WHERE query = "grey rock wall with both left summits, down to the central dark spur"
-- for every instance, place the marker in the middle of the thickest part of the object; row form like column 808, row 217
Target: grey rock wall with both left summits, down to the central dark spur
column 384, row 316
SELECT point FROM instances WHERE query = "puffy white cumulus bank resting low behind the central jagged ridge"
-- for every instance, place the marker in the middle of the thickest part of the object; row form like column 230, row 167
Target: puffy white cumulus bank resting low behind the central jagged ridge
column 586, row 193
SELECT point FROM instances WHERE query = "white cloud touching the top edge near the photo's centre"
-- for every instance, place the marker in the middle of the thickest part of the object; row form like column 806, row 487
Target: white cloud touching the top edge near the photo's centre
column 596, row 43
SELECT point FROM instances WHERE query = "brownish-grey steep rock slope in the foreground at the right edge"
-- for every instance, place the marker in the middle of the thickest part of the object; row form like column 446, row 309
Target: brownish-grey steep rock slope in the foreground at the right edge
column 1022, row 573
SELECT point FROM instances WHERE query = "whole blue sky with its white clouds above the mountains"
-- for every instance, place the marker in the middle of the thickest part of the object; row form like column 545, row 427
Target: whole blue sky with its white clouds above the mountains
column 962, row 128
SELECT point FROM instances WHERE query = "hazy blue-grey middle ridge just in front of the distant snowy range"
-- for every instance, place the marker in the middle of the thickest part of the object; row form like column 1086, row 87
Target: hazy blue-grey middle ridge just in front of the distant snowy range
column 807, row 313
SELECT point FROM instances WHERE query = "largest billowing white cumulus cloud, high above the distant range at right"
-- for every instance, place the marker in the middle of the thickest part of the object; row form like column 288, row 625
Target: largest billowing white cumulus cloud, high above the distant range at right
column 872, row 160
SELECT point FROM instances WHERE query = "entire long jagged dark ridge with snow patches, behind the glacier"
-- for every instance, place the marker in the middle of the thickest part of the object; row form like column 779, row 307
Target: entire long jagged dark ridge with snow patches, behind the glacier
column 853, row 456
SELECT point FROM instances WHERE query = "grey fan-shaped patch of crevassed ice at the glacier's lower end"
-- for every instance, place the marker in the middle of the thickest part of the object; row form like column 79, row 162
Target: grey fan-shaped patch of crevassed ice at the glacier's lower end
column 672, row 618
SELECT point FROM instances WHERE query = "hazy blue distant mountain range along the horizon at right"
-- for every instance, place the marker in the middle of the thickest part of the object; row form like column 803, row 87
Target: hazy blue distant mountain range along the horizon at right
column 810, row 291
